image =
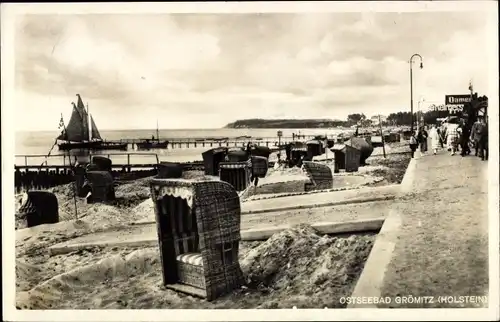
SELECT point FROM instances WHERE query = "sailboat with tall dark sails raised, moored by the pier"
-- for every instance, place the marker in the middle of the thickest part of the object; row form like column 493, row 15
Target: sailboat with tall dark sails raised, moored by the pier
column 79, row 135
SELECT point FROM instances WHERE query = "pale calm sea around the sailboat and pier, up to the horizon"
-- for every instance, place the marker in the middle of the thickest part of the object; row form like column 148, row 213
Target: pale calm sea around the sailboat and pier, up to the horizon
column 38, row 144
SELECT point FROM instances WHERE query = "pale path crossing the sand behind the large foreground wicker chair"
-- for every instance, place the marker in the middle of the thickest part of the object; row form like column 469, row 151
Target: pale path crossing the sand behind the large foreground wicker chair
column 338, row 207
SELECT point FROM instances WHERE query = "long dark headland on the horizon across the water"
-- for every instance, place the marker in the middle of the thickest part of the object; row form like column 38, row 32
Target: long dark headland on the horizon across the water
column 286, row 124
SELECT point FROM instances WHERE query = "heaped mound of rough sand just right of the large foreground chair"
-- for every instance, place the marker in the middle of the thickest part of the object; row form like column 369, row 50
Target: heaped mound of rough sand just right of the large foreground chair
column 305, row 269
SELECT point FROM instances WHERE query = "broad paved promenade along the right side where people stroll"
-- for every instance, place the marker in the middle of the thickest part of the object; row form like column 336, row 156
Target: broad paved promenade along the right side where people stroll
column 440, row 243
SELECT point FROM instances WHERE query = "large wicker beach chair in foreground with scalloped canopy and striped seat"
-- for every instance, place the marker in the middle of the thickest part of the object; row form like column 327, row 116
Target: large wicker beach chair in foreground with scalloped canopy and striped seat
column 198, row 223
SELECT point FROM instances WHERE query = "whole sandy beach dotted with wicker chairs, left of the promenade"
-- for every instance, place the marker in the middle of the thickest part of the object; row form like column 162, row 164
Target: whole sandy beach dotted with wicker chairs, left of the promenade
column 311, row 270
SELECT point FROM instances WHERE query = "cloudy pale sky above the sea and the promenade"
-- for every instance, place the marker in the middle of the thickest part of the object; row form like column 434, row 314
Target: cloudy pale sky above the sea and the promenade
column 205, row 70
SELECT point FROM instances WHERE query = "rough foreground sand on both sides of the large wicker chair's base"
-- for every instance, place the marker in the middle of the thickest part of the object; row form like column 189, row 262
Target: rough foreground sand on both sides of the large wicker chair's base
column 295, row 267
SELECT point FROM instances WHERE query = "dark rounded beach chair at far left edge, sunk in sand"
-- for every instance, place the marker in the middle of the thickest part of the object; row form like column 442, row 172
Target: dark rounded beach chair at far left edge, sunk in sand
column 38, row 208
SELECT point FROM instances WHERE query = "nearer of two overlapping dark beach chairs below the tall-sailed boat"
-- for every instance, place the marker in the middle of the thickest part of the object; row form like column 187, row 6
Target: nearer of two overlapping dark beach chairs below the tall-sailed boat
column 100, row 186
